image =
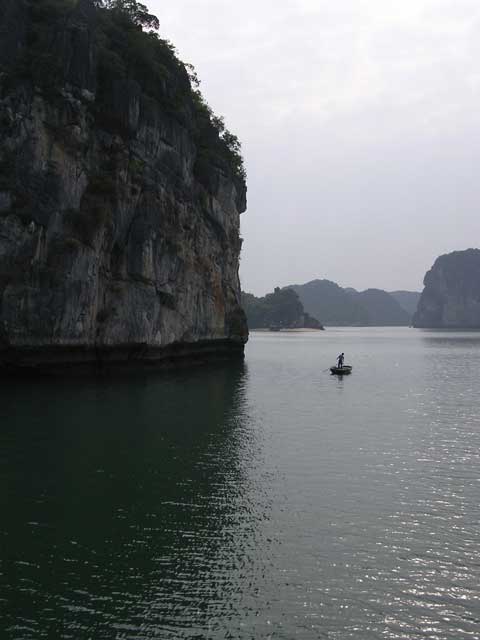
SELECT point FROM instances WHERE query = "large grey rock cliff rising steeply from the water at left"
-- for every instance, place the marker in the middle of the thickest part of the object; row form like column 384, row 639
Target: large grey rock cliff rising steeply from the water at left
column 119, row 208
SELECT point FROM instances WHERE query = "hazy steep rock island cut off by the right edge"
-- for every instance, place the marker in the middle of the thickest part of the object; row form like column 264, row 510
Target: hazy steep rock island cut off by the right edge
column 451, row 298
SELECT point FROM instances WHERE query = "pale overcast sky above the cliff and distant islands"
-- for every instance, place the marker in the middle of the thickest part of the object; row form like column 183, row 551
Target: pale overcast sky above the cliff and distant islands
column 360, row 127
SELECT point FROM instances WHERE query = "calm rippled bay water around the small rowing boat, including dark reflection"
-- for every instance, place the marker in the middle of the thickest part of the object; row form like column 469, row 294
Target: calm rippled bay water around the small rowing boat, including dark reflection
column 264, row 500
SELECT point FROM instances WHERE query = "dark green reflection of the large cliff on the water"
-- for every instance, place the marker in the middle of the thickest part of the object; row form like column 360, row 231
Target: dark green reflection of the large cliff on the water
column 127, row 504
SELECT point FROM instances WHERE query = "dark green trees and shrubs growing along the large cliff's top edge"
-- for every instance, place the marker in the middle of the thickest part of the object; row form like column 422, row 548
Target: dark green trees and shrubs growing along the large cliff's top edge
column 129, row 49
